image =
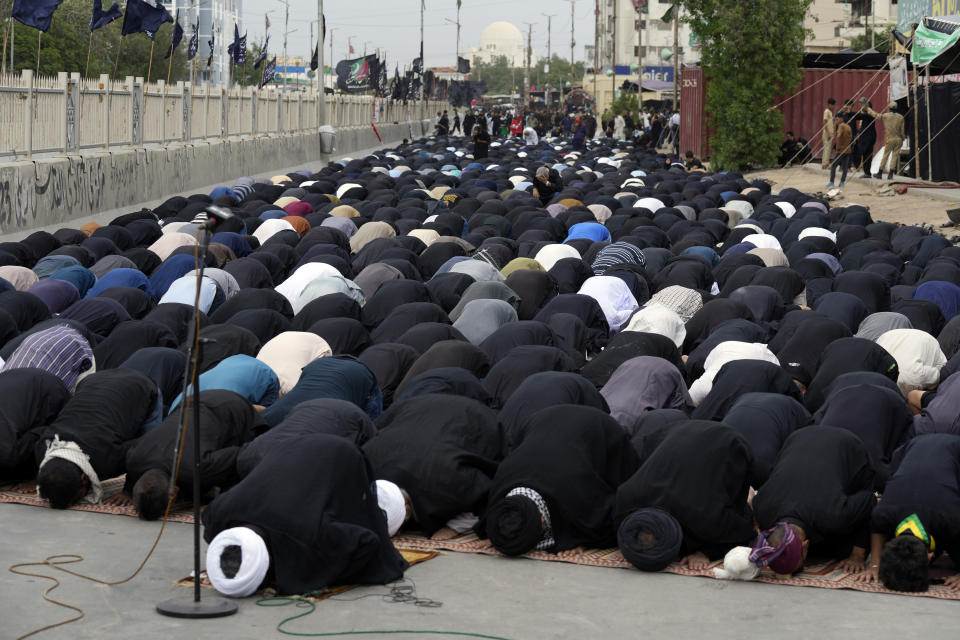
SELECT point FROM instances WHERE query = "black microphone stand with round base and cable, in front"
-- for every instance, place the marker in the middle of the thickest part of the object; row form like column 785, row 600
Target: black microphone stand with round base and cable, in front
column 214, row 606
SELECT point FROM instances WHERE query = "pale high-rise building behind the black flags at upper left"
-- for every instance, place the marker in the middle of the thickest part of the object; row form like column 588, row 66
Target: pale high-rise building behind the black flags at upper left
column 216, row 18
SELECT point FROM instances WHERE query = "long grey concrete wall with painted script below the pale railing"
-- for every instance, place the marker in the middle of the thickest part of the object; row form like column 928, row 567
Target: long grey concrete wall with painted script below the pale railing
column 57, row 190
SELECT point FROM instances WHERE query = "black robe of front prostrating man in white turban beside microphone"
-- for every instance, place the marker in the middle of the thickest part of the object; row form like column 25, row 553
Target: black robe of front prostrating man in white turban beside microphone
column 313, row 502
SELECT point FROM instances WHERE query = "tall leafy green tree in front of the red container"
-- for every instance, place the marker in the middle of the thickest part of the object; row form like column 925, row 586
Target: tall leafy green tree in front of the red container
column 751, row 52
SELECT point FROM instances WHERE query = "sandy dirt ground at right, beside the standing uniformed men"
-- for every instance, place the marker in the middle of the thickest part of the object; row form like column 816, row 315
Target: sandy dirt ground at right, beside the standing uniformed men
column 888, row 207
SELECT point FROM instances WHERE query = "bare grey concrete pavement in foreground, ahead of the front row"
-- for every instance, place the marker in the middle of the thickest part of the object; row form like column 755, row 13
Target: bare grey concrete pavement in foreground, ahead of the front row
column 512, row 598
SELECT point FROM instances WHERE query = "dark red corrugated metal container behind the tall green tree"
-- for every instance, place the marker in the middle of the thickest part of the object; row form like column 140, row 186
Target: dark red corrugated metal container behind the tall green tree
column 802, row 111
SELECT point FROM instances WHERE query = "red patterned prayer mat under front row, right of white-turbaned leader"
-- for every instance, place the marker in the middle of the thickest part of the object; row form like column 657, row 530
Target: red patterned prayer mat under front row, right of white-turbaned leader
column 823, row 575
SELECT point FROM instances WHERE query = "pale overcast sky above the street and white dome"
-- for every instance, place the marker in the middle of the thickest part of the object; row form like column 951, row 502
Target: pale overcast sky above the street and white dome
column 394, row 25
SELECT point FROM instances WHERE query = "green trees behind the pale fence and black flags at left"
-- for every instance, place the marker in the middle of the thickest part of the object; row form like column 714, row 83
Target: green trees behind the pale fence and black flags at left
column 64, row 46
